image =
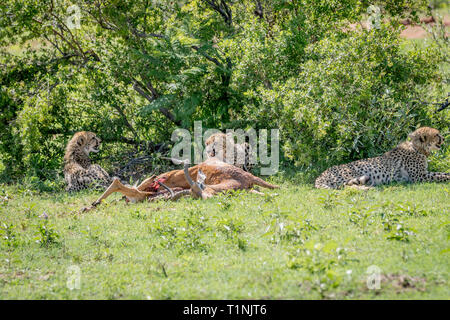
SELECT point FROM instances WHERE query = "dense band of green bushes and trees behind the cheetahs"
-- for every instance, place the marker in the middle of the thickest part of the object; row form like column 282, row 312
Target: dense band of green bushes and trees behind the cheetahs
column 135, row 70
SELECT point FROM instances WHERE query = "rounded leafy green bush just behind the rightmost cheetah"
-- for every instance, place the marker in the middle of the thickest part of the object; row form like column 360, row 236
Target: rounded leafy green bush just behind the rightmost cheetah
column 356, row 96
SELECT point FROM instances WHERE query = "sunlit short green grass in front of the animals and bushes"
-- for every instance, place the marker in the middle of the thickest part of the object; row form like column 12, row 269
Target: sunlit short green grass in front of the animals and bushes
column 292, row 243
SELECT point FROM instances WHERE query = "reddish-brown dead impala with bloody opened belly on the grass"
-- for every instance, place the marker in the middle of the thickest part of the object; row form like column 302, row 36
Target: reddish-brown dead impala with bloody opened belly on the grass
column 211, row 176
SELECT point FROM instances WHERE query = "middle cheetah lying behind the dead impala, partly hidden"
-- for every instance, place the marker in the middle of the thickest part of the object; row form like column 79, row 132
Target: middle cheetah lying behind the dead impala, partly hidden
column 218, row 144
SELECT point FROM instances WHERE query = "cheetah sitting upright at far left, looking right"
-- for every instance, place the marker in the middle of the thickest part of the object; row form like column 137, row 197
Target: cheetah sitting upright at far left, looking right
column 79, row 172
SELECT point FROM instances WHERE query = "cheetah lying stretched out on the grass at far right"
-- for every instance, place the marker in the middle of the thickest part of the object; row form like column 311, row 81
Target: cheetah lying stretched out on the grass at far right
column 405, row 163
